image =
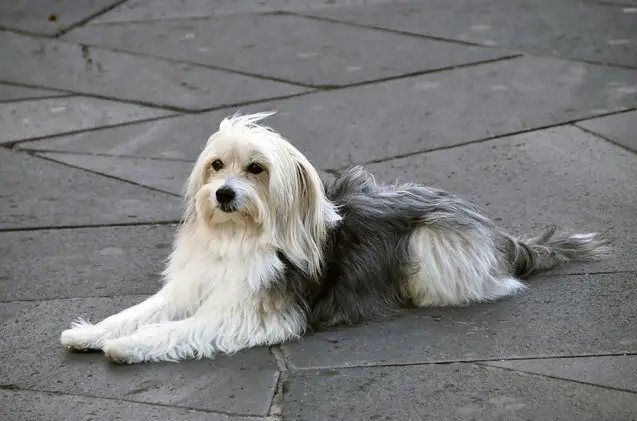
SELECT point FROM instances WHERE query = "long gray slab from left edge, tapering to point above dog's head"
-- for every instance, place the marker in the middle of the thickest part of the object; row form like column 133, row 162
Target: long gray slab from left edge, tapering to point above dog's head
column 98, row 71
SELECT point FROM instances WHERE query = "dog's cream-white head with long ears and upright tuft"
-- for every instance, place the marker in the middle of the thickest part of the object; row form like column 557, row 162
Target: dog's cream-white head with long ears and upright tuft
column 251, row 177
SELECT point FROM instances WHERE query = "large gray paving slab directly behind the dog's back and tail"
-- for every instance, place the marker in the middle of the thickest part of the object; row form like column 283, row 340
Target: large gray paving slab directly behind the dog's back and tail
column 530, row 181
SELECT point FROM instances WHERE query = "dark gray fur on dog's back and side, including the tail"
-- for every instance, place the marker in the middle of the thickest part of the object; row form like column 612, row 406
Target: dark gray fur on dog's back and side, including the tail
column 368, row 258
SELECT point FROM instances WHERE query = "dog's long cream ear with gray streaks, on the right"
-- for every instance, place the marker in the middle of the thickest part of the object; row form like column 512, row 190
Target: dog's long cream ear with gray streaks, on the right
column 312, row 216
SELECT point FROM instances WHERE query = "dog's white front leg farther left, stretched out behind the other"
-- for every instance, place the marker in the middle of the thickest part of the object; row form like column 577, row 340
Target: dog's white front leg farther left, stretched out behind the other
column 159, row 307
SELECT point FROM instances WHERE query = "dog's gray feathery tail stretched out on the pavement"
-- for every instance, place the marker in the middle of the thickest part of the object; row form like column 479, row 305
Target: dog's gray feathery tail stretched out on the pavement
column 554, row 248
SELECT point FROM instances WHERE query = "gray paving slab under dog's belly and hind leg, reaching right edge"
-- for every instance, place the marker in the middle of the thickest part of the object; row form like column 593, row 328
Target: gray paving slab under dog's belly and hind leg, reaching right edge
column 558, row 316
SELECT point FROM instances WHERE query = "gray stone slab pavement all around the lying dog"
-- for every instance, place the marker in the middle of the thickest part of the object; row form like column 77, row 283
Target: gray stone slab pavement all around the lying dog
column 526, row 107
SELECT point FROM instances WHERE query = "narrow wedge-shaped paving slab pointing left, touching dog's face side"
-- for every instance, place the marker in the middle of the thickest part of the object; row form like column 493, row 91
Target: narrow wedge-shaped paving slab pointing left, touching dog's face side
column 165, row 175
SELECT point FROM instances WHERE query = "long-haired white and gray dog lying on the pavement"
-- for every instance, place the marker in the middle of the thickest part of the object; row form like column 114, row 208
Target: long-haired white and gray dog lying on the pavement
column 265, row 252
